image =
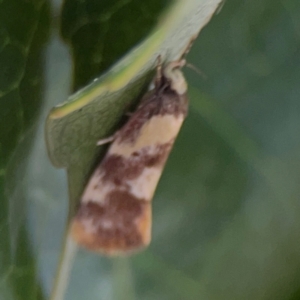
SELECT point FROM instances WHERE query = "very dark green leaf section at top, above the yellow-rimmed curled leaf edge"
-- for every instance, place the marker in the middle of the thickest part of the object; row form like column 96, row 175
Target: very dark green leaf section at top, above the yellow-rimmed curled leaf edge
column 100, row 32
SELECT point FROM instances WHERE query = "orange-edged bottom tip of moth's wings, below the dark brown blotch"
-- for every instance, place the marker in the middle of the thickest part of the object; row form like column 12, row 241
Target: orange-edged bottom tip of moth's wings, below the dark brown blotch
column 115, row 240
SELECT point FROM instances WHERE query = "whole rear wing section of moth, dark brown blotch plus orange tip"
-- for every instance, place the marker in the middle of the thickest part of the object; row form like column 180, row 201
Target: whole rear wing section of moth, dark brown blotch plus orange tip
column 121, row 224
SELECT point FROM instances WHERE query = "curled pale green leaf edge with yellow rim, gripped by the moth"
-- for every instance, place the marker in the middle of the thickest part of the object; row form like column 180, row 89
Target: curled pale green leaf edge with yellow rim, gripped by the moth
column 93, row 113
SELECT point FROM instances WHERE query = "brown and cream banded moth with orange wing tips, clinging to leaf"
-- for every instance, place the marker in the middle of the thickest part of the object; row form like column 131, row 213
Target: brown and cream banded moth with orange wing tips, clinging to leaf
column 114, row 216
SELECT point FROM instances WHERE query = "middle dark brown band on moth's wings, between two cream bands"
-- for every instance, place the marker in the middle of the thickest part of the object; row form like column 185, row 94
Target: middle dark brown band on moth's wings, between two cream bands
column 118, row 169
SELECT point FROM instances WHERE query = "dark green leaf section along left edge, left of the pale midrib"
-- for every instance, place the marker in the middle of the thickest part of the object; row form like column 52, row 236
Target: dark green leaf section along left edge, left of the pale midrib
column 23, row 30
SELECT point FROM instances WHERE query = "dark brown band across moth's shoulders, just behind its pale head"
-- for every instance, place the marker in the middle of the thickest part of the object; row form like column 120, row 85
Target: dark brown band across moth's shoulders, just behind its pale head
column 157, row 102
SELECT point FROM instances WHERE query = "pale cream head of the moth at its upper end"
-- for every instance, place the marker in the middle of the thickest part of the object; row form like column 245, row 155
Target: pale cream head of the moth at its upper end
column 174, row 75
